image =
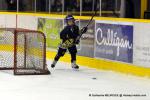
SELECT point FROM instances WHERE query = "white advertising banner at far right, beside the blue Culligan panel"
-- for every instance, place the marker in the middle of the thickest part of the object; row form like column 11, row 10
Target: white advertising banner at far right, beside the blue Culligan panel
column 142, row 45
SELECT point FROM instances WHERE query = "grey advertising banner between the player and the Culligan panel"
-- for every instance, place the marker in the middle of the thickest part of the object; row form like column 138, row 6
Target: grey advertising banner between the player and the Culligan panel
column 87, row 40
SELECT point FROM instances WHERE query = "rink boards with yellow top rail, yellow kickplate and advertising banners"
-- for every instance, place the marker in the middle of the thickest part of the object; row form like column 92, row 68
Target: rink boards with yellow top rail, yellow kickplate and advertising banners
column 116, row 44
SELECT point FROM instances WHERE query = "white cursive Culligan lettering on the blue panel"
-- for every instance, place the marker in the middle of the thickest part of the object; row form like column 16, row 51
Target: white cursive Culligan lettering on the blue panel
column 112, row 40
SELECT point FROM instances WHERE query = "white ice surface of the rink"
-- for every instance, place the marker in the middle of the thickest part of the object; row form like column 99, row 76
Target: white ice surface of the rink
column 67, row 84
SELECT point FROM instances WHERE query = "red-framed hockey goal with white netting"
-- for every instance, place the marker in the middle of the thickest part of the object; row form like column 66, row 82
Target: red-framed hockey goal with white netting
column 23, row 51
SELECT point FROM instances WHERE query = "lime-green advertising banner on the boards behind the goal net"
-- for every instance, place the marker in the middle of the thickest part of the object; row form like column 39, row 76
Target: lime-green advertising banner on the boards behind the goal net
column 52, row 28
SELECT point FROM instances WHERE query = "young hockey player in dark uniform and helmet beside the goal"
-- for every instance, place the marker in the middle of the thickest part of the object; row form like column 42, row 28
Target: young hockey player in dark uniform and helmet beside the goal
column 69, row 40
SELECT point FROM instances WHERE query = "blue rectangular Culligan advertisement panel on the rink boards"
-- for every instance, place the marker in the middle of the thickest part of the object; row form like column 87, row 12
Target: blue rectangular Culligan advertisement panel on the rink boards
column 114, row 41
